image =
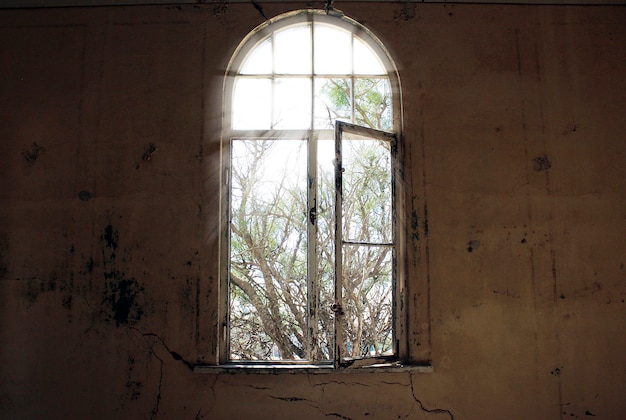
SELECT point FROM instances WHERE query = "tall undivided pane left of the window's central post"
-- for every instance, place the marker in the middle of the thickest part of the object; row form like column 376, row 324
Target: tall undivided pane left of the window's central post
column 268, row 256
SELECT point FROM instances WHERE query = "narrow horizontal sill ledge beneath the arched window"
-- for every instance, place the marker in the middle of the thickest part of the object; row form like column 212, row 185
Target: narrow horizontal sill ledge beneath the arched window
column 236, row 369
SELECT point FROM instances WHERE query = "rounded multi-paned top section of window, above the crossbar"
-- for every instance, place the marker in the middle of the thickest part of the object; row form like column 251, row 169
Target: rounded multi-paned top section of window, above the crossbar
column 303, row 70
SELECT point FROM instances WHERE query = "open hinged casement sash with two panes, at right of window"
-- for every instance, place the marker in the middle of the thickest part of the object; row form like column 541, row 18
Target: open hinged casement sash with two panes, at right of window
column 365, row 251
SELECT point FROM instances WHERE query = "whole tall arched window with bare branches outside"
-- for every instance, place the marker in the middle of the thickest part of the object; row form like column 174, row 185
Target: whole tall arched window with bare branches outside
column 310, row 251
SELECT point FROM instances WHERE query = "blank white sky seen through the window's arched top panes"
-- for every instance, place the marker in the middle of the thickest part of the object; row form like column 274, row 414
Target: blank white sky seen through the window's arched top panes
column 337, row 53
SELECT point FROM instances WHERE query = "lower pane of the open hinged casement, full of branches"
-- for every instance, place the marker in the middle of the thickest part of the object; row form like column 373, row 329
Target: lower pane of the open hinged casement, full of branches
column 367, row 301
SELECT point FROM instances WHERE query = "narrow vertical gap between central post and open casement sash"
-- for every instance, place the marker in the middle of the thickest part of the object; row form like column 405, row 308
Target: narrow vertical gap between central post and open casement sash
column 323, row 346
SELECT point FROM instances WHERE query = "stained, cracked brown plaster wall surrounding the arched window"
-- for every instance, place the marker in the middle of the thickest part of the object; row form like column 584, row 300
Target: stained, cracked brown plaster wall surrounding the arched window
column 109, row 178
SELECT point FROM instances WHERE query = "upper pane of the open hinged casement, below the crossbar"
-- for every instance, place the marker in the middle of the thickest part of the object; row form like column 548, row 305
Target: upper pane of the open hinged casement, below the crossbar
column 367, row 201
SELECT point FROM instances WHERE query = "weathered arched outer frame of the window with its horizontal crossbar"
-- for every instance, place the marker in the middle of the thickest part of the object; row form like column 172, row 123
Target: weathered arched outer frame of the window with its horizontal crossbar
column 253, row 39
